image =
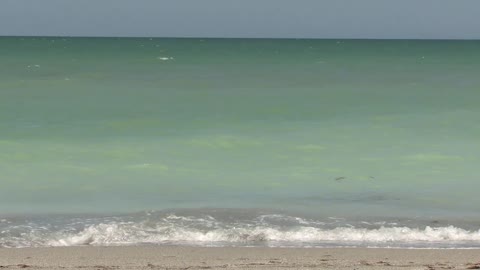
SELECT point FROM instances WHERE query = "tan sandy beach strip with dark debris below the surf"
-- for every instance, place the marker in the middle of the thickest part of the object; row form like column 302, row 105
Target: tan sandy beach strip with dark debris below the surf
column 149, row 257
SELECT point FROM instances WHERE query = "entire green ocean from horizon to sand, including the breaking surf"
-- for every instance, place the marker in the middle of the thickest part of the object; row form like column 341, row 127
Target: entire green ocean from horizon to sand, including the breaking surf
column 239, row 142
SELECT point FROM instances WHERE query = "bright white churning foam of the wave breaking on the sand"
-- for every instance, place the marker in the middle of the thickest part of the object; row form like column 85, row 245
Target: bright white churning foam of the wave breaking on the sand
column 114, row 234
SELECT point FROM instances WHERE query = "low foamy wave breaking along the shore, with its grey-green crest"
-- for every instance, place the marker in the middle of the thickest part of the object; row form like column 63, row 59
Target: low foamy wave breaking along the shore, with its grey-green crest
column 263, row 230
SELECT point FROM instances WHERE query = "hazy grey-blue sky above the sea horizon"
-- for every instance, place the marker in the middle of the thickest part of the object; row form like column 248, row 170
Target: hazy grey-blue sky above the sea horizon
column 443, row 19
